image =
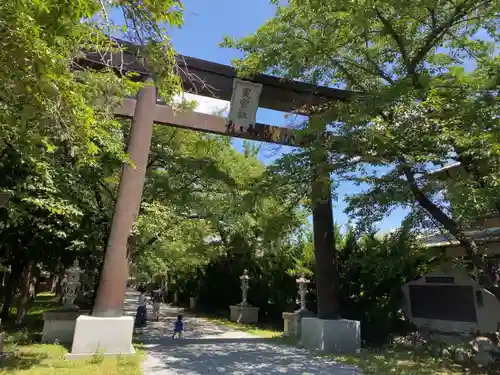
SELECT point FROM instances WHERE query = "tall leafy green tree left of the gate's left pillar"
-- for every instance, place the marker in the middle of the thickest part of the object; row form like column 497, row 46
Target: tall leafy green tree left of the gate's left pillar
column 60, row 145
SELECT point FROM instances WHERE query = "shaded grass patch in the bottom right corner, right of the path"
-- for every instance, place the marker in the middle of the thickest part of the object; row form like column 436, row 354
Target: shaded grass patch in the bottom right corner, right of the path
column 402, row 361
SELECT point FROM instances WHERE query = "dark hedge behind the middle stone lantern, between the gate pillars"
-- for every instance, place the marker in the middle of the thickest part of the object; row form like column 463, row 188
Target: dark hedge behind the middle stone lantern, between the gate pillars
column 217, row 285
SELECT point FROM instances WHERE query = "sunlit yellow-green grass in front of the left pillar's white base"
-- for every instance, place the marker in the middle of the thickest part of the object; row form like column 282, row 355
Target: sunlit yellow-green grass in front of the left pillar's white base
column 50, row 360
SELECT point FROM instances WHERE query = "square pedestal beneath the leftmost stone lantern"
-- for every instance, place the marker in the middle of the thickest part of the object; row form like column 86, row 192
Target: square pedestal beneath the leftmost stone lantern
column 59, row 325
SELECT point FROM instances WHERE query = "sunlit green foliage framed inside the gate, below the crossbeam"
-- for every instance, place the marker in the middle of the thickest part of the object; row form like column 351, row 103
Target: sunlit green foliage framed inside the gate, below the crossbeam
column 200, row 202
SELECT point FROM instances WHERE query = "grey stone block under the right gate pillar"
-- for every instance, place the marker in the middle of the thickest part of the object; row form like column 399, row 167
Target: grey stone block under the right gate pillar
column 331, row 336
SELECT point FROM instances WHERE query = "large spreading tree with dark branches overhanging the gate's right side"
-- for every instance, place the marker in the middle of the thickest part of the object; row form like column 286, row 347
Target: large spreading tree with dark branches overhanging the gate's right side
column 416, row 106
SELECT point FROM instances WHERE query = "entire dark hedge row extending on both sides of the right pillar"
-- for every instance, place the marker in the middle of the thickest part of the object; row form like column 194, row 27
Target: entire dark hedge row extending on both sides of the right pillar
column 372, row 272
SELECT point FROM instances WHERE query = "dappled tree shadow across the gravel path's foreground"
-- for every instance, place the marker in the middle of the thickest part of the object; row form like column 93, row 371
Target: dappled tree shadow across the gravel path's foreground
column 237, row 356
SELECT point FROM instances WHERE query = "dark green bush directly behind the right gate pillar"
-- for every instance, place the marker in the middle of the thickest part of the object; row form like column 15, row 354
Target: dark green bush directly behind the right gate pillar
column 373, row 269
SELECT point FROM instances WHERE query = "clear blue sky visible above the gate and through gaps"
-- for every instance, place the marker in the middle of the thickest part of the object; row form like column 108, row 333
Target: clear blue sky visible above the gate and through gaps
column 205, row 23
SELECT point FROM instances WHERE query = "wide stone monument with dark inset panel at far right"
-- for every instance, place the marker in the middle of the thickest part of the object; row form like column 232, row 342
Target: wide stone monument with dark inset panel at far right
column 451, row 303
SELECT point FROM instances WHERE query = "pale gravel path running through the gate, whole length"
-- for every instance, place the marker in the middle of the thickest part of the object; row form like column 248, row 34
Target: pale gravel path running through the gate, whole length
column 207, row 348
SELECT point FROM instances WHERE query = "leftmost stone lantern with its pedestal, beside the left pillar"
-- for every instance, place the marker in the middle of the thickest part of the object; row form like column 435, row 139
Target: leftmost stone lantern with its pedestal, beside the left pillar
column 59, row 325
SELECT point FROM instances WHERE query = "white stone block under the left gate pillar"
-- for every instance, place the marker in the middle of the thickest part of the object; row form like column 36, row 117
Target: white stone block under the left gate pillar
column 106, row 336
